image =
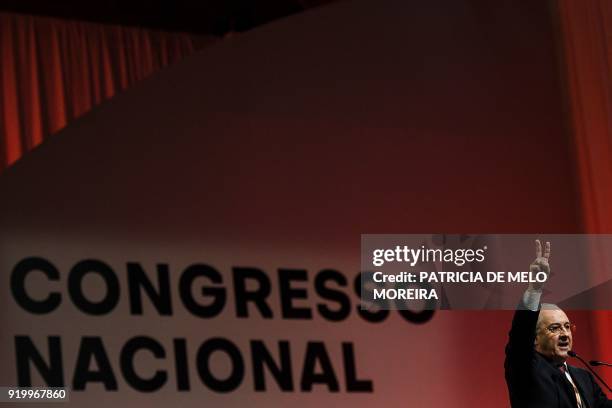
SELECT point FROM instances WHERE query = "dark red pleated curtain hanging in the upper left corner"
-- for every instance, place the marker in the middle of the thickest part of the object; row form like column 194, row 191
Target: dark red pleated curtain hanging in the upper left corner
column 52, row 71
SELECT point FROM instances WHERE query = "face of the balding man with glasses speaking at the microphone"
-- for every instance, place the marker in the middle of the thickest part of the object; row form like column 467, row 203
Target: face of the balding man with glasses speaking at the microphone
column 553, row 337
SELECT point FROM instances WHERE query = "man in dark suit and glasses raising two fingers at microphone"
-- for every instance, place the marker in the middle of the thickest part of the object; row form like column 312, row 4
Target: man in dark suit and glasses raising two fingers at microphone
column 536, row 370
